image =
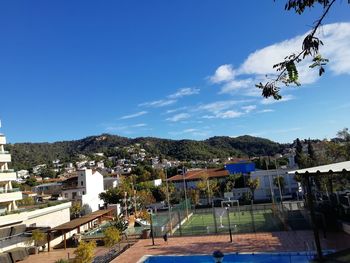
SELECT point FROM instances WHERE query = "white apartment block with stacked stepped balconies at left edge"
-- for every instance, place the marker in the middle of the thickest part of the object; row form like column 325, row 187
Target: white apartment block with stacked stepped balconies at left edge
column 8, row 194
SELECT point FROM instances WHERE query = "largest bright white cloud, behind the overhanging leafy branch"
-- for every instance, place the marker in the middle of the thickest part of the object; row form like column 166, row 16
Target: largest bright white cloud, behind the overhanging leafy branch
column 336, row 39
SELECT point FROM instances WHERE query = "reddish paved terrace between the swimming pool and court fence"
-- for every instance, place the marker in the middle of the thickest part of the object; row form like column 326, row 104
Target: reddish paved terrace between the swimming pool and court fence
column 260, row 242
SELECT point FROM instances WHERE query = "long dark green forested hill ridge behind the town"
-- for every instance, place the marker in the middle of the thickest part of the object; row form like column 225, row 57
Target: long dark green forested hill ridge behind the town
column 25, row 155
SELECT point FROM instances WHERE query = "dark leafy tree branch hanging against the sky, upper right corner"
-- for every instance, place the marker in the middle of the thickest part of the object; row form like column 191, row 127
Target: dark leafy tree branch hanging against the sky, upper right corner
column 287, row 70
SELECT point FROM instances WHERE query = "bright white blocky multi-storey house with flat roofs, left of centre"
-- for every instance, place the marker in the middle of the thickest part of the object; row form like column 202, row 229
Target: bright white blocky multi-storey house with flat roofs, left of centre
column 86, row 188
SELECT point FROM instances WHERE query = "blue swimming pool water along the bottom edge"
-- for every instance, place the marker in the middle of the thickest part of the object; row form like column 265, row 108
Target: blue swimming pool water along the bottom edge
column 302, row 257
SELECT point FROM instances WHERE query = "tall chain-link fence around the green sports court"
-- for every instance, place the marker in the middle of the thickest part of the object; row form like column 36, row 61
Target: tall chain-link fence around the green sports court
column 187, row 221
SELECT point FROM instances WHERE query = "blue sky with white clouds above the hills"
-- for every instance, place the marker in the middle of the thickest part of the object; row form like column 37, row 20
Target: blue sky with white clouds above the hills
column 170, row 69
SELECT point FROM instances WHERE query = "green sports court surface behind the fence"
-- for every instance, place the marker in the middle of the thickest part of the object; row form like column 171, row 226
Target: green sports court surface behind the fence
column 241, row 222
